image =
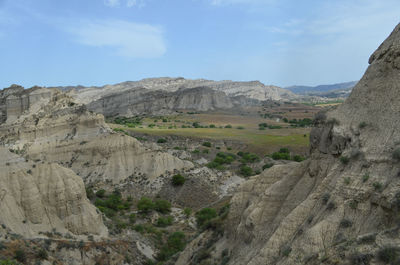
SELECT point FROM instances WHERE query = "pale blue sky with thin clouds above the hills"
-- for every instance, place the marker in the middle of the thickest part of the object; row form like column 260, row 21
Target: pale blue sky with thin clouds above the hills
column 280, row 42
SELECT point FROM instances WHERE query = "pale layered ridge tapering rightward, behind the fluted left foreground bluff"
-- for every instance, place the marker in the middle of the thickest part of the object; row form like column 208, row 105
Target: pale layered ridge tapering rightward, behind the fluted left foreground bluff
column 65, row 133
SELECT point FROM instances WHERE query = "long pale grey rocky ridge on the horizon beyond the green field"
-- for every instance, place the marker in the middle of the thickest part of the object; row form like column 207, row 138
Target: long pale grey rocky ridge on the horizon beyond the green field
column 166, row 95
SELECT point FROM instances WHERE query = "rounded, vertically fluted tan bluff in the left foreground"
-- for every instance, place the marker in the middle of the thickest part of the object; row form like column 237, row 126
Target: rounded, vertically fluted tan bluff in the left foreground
column 40, row 197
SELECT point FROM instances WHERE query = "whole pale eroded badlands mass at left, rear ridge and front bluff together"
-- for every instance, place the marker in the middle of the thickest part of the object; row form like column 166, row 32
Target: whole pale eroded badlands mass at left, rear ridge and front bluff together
column 49, row 145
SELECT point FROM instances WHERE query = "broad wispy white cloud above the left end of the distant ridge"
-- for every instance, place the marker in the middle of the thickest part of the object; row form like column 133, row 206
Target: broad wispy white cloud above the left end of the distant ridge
column 127, row 39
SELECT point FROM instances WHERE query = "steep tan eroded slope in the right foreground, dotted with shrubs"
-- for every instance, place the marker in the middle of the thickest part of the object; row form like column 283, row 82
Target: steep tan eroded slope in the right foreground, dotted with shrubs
column 341, row 206
